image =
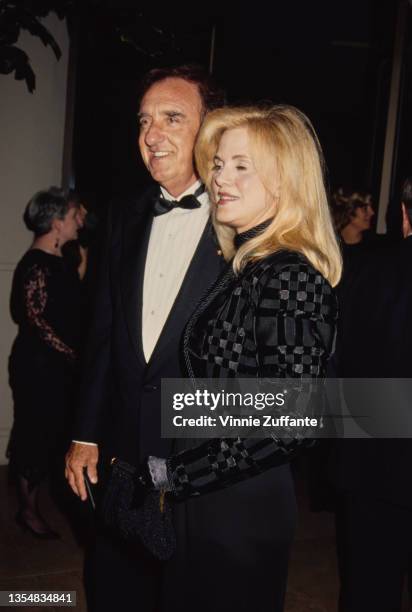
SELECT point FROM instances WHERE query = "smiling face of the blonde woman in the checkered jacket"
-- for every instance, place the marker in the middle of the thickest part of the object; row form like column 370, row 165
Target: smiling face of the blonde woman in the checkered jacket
column 241, row 200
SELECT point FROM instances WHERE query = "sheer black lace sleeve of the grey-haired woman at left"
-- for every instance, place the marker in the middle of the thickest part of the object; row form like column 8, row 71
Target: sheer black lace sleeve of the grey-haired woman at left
column 35, row 296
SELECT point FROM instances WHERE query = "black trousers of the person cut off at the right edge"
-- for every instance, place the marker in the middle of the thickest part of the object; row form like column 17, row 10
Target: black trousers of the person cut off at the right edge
column 374, row 544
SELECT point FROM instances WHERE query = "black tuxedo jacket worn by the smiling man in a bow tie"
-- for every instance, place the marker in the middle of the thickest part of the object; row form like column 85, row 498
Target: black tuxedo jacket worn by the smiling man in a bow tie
column 119, row 403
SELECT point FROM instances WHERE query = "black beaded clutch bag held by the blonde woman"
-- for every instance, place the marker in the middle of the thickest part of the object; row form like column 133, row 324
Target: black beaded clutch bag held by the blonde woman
column 147, row 520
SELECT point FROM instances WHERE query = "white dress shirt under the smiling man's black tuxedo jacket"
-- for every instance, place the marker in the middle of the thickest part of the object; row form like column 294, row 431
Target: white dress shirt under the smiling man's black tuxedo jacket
column 173, row 241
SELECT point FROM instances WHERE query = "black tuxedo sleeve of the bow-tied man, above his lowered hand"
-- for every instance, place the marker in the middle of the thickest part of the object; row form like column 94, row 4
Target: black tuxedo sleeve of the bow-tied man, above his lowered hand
column 94, row 388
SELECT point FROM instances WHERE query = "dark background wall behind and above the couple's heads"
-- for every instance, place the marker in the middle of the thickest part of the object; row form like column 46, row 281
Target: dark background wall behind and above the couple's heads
column 331, row 59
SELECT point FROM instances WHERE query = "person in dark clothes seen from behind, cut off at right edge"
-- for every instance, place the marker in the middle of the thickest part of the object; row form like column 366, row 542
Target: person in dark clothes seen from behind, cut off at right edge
column 374, row 476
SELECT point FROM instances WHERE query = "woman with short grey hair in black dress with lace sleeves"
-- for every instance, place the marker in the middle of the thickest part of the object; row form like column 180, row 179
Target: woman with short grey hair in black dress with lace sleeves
column 45, row 302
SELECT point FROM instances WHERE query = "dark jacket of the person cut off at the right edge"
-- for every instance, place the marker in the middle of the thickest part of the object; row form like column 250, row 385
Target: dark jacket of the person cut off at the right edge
column 375, row 341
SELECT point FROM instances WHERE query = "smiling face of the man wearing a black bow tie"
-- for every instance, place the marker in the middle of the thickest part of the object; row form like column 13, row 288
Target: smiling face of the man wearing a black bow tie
column 170, row 117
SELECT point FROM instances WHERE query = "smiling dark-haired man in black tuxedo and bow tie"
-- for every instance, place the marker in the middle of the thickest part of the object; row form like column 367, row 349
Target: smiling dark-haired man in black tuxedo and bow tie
column 159, row 258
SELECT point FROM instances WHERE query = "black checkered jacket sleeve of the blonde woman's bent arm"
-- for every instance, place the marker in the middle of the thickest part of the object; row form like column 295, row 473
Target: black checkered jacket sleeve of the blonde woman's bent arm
column 294, row 327
